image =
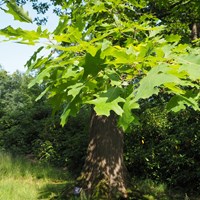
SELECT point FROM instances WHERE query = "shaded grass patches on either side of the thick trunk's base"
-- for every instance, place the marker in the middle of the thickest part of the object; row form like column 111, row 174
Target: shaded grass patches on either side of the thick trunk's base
column 142, row 190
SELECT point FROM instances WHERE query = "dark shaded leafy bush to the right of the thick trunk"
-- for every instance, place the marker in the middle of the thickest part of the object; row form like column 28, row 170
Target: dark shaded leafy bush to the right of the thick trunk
column 166, row 147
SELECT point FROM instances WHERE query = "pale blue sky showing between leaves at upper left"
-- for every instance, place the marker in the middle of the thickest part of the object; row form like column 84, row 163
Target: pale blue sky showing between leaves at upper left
column 13, row 56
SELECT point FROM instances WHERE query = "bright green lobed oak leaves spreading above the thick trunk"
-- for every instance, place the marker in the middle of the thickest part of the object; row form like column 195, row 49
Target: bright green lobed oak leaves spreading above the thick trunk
column 111, row 61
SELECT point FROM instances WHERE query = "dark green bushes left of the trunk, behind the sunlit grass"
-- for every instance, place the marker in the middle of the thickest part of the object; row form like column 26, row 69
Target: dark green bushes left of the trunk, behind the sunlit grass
column 27, row 127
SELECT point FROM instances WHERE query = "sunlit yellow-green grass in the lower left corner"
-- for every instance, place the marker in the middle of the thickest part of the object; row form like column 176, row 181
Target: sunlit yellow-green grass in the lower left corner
column 23, row 179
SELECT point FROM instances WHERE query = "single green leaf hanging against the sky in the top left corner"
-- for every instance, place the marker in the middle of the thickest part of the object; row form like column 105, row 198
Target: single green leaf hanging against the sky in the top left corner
column 17, row 12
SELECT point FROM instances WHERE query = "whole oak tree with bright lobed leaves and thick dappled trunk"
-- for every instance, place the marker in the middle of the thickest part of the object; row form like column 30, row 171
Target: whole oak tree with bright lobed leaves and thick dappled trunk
column 110, row 55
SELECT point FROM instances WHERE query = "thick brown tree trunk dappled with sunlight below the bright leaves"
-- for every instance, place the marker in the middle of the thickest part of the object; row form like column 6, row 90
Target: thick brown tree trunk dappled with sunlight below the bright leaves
column 104, row 170
